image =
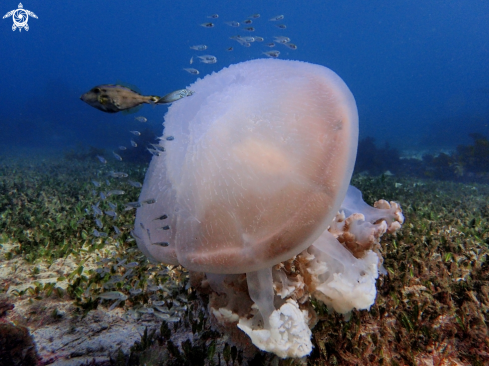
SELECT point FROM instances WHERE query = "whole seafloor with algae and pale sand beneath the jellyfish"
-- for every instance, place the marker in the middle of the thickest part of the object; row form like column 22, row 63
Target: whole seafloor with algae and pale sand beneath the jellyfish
column 432, row 307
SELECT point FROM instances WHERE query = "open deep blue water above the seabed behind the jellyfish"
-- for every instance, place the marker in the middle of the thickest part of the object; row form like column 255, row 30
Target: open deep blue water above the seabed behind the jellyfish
column 418, row 69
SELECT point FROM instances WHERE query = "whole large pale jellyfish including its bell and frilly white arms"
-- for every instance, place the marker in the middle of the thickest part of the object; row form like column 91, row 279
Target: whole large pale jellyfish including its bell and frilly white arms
column 255, row 175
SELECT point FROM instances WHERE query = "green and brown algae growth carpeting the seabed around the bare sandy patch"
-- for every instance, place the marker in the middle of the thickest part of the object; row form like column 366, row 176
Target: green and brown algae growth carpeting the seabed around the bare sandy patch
column 433, row 304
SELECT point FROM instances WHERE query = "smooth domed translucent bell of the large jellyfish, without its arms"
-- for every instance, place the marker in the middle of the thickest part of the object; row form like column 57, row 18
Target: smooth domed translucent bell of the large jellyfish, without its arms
column 260, row 162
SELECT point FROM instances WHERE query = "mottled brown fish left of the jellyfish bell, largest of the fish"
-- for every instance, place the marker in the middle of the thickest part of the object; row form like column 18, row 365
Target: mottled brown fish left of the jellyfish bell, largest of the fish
column 112, row 98
